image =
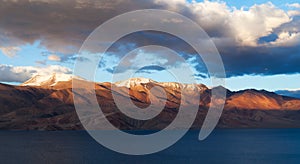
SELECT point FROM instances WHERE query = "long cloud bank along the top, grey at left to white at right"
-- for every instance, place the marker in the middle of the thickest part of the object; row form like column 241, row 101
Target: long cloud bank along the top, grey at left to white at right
column 62, row 26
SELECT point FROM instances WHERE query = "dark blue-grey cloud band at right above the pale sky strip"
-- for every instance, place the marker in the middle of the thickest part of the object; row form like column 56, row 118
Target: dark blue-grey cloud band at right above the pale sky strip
column 261, row 61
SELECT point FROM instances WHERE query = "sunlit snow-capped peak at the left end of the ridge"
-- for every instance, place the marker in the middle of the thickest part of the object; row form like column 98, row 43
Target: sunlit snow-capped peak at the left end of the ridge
column 48, row 80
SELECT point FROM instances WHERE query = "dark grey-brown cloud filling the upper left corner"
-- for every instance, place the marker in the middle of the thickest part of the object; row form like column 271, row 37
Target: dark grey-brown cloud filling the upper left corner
column 60, row 26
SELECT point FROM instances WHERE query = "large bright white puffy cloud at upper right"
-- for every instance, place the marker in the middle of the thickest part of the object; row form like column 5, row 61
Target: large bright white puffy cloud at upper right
column 245, row 26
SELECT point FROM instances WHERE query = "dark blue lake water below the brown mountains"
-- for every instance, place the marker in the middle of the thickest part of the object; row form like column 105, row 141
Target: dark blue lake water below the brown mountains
column 222, row 146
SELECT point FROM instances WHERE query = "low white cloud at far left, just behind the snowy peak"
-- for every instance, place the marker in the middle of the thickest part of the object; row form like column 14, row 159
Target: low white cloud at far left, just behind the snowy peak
column 20, row 74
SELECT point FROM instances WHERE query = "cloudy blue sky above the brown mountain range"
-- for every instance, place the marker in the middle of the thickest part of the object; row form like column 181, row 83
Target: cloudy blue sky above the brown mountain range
column 258, row 41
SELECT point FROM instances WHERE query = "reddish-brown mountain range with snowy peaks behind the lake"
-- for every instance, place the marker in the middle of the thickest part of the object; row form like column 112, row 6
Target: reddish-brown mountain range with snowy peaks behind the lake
column 46, row 103
